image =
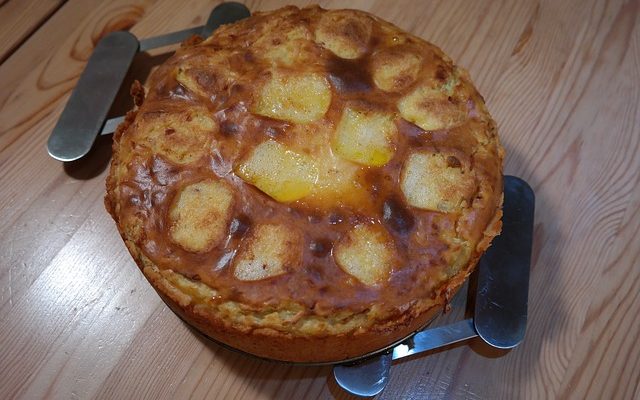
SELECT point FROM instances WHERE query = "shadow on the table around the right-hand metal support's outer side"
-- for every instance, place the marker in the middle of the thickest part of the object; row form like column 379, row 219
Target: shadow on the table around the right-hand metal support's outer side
column 474, row 365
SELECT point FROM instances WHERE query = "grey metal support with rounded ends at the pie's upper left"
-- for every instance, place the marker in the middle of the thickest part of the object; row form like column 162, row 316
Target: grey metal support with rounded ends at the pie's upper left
column 83, row 117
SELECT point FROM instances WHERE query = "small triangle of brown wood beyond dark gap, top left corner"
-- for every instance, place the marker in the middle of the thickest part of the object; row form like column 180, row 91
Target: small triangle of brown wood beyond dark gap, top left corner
column 20, row 18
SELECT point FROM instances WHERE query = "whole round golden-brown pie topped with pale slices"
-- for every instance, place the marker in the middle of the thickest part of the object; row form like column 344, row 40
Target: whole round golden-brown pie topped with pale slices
column 307, row 185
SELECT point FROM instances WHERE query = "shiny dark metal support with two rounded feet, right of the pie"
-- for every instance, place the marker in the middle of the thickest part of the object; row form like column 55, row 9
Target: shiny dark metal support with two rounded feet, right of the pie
column 500, row 314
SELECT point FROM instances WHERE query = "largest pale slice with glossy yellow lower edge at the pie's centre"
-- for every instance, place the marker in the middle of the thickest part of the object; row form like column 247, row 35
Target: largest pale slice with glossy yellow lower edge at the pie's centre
column 279, row 172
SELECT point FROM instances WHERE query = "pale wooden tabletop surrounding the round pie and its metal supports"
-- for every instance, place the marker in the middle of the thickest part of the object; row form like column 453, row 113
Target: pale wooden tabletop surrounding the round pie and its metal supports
column 77, row 320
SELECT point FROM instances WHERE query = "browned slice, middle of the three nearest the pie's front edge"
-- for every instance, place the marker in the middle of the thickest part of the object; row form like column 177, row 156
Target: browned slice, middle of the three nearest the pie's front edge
column 269, row 251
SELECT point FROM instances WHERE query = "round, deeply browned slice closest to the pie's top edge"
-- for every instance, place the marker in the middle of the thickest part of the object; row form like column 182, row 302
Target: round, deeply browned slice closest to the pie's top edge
column 344, row 32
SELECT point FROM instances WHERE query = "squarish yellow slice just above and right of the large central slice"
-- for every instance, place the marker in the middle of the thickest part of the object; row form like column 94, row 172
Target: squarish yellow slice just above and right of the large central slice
column 365, row 137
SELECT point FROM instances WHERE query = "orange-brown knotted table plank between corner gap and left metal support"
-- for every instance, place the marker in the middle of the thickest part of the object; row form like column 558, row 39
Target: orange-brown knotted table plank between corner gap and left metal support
column 50, row 62
